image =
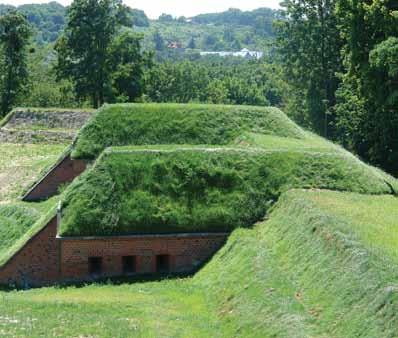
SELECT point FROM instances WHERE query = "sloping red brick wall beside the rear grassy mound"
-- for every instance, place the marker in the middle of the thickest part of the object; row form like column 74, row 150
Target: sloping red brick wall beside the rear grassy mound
column 64, row 172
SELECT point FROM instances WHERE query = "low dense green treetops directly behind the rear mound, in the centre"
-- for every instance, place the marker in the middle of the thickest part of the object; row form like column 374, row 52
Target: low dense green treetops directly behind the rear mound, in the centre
column 218, row 80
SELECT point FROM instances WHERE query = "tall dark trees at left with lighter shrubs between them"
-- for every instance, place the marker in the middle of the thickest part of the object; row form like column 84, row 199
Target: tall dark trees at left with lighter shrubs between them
column 97, row 59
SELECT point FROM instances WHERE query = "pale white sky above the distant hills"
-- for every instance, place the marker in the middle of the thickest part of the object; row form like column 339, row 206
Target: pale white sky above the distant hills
column 153, row 8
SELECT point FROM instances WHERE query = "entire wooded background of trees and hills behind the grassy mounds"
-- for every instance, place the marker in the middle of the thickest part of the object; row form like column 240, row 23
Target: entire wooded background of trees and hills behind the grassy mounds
column 331, row 65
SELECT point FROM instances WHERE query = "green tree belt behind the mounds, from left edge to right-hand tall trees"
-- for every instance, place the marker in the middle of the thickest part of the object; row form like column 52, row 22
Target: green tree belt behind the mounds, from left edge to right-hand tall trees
column 99, row 58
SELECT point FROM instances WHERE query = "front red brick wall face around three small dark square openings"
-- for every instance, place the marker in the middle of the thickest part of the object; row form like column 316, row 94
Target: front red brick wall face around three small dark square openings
column 186, row 253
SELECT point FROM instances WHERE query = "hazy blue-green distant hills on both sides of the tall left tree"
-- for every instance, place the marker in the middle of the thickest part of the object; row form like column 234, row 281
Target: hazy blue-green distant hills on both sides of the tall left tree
column 230, row 30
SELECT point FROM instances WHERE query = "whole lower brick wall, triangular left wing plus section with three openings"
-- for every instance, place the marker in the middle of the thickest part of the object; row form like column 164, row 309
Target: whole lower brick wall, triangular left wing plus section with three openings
column 46, row 259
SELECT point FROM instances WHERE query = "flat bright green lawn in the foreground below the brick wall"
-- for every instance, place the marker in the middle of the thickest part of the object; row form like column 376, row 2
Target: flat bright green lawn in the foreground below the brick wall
column 156, row 309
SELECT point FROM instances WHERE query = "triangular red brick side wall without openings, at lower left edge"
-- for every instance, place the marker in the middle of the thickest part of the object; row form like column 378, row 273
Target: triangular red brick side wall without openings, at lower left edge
column 37, row 263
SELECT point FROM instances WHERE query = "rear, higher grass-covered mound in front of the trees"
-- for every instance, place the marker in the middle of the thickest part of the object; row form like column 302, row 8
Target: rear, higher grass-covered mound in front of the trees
column 140, row 124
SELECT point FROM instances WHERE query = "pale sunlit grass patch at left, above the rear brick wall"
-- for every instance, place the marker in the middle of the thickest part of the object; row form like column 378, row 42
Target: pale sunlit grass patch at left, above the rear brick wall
column 22, row 164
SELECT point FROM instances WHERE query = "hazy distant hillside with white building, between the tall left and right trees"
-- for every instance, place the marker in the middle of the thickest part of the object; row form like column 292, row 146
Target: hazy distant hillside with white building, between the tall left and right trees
column 230, row 30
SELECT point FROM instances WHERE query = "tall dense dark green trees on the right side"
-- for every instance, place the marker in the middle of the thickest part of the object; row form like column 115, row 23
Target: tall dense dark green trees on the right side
column 339, row 59
